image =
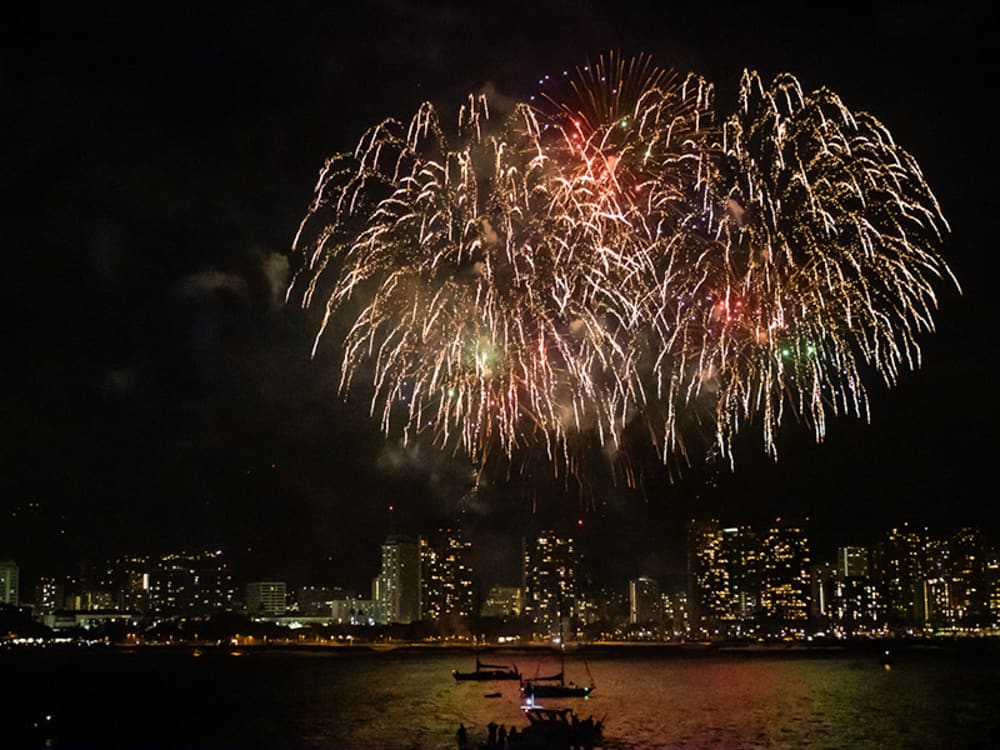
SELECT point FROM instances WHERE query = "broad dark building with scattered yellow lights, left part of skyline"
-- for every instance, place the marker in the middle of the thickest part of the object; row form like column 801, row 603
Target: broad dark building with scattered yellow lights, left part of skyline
column 198, row 583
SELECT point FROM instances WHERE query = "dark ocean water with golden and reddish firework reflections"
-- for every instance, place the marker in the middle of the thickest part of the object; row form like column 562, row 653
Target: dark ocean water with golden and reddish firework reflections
column 650, row 698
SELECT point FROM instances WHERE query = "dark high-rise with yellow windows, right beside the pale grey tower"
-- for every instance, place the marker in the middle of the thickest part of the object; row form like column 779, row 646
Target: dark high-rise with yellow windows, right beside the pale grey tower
column 446, row 575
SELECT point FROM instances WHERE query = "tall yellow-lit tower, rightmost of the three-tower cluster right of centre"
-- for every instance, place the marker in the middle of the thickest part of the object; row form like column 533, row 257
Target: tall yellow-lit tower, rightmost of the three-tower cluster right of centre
column 784, row 565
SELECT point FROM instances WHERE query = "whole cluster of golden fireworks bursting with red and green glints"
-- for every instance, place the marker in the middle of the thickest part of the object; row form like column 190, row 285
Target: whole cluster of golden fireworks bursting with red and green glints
column 616, row 253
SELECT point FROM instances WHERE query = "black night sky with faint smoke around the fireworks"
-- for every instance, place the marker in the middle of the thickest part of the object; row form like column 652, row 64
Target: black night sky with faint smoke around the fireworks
column 159, row 394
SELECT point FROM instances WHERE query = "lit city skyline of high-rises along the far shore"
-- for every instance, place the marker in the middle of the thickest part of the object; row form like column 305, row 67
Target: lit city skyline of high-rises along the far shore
column 743, row 583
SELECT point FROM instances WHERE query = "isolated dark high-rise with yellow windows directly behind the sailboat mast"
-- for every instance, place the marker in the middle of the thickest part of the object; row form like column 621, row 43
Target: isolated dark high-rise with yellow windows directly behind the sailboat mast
column 550, row 566
